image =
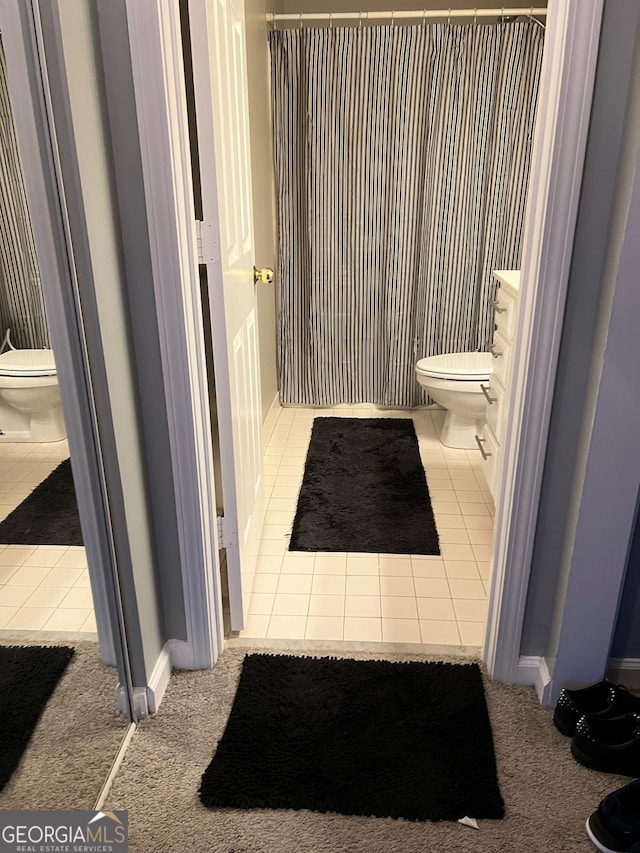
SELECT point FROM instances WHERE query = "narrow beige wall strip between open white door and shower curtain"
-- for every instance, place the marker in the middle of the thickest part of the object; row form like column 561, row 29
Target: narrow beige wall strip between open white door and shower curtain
column 262, row 178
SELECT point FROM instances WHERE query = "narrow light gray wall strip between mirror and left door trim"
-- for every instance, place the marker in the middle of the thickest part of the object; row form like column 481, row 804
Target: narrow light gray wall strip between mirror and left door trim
column 82, row 122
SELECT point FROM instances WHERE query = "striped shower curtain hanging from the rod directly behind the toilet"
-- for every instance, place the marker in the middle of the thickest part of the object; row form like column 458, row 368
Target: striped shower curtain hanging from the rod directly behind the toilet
column 402, row 160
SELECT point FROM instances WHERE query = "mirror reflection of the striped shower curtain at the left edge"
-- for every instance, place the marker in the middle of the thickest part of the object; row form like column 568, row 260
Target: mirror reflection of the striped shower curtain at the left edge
column 21, row 300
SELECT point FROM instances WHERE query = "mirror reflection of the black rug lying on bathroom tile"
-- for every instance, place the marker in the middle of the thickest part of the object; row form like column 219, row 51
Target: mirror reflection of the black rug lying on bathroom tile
column 48, row 516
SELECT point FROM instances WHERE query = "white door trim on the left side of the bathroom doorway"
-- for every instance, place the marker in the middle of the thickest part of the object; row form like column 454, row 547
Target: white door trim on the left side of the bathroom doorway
column 158, row 76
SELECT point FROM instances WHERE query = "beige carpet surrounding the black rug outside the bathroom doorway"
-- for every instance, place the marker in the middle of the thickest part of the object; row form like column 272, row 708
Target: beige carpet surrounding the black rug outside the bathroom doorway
column 547, row 795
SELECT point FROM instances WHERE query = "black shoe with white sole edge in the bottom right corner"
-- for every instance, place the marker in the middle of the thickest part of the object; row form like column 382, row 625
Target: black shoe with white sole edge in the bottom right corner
column 615, row 826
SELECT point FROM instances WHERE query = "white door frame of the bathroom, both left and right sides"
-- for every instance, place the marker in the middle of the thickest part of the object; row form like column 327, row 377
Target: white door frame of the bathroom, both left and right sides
column 571, row 46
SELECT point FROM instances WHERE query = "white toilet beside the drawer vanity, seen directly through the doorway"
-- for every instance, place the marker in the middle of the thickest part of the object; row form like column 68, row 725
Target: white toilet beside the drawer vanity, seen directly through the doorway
column 453, row 380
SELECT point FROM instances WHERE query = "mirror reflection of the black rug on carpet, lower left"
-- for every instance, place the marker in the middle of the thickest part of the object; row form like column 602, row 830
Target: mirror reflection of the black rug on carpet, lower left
column 28, row 677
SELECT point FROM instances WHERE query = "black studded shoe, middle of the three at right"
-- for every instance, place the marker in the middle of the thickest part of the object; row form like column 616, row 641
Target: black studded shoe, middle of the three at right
column 609, row 745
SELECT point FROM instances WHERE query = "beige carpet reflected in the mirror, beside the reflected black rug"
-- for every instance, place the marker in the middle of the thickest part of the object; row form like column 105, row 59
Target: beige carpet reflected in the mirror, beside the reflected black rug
column 75, row 742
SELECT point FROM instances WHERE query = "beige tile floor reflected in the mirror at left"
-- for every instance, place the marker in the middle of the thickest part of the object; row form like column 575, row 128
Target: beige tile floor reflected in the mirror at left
column 42, row 588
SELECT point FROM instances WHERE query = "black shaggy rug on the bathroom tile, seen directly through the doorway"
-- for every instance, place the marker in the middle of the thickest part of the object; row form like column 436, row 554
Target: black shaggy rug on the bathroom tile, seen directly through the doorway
column 364, row 490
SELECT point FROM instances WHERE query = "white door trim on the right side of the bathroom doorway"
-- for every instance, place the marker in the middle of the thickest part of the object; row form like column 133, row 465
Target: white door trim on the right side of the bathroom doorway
column 566, row 93
